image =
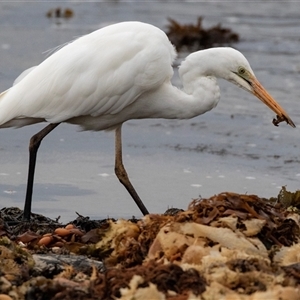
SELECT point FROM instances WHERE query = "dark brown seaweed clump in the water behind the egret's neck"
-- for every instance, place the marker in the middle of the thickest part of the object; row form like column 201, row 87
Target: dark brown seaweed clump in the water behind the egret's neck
column 193, row 37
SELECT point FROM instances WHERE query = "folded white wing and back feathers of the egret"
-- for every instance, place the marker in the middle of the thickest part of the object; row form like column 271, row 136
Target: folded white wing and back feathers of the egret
column 98, row 74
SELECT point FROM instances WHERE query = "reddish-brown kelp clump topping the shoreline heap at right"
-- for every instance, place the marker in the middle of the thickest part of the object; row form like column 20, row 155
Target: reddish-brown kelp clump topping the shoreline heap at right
column 279, row 226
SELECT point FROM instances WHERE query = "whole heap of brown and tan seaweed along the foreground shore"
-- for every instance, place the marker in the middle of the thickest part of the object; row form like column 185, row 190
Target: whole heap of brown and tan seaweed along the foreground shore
column 229, row 246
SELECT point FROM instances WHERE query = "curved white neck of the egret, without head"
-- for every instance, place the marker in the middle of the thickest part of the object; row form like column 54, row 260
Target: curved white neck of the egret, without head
column 199, row 94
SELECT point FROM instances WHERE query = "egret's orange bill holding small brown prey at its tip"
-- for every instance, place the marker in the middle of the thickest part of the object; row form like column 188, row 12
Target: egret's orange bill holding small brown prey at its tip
column 260, row 92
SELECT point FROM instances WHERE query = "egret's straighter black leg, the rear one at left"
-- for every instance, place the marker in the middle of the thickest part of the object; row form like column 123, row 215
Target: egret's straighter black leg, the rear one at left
column 34, row 145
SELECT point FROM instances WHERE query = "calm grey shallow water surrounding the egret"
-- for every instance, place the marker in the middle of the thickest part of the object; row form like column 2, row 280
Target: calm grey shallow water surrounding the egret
column 235, row 147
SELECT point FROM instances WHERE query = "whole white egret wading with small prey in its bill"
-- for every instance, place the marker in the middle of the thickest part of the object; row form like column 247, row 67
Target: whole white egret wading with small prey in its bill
column 118, row 73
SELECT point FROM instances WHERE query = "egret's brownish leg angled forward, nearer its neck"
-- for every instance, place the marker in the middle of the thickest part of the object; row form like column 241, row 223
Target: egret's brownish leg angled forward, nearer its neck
column 122, row 174
